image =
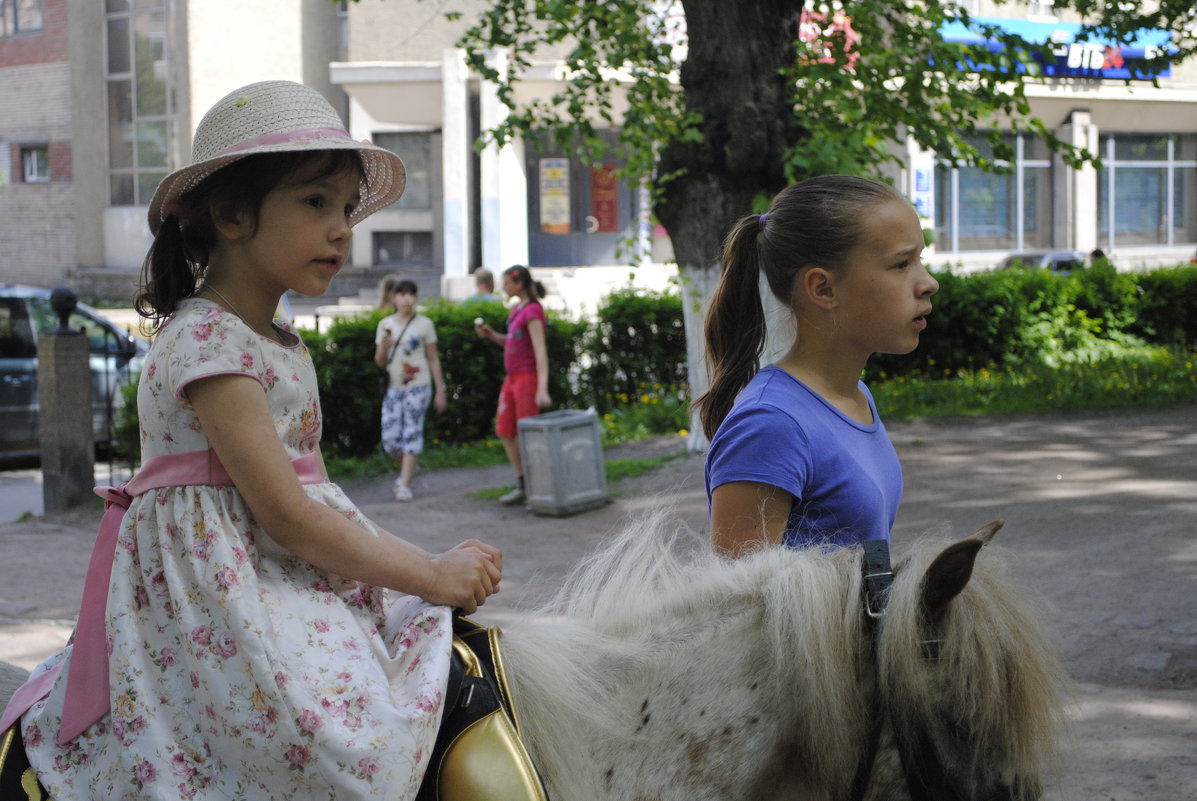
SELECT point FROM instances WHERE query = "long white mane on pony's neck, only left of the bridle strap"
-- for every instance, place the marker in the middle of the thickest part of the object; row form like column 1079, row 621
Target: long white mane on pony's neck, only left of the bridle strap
column 655, row 584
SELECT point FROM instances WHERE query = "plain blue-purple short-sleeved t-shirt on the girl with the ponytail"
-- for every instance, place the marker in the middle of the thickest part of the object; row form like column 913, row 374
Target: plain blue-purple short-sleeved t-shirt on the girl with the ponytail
column 844, row 476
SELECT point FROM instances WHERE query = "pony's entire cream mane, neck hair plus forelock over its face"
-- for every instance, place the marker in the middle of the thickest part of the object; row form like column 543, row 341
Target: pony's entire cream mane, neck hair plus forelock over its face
column 658, row 586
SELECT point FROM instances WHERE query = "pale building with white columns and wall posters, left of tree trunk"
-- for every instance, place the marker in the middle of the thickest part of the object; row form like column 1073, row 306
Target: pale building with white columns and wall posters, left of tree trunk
column 410, row 89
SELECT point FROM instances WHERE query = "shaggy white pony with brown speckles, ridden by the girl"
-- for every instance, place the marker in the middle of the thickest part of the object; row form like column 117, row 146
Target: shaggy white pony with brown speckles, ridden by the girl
column 667, row 673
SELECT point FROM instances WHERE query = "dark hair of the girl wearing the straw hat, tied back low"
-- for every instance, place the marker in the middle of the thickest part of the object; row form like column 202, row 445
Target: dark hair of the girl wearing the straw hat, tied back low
column 180, row 253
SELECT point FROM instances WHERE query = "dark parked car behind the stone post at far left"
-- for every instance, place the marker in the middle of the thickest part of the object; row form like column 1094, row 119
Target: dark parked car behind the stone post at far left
column 117, row 357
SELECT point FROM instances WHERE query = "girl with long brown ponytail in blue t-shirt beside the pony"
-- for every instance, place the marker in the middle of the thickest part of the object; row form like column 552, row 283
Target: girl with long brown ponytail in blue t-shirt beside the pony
column 799, row 454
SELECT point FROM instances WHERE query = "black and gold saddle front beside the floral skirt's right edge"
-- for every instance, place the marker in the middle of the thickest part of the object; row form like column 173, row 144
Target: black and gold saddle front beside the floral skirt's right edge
column 479, row 753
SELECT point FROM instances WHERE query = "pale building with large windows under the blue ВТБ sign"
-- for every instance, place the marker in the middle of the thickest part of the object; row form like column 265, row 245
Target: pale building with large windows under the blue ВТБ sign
column 1140, row 208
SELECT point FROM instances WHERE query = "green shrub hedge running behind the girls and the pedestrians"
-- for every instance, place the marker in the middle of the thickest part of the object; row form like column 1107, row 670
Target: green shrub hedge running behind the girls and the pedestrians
column 635, row 353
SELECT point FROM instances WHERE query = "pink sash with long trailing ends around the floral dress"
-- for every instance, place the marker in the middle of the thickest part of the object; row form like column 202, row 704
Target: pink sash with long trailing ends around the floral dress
column 88, row 689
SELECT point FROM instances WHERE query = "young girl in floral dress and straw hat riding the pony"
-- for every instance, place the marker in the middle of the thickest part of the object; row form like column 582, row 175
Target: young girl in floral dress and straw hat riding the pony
column 246, row 632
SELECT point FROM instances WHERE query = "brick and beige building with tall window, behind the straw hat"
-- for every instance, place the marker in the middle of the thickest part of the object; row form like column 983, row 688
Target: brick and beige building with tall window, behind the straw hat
column 99, row 101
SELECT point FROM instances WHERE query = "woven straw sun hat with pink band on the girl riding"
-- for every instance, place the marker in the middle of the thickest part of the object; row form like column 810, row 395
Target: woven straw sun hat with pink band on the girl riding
column 276, row 117
